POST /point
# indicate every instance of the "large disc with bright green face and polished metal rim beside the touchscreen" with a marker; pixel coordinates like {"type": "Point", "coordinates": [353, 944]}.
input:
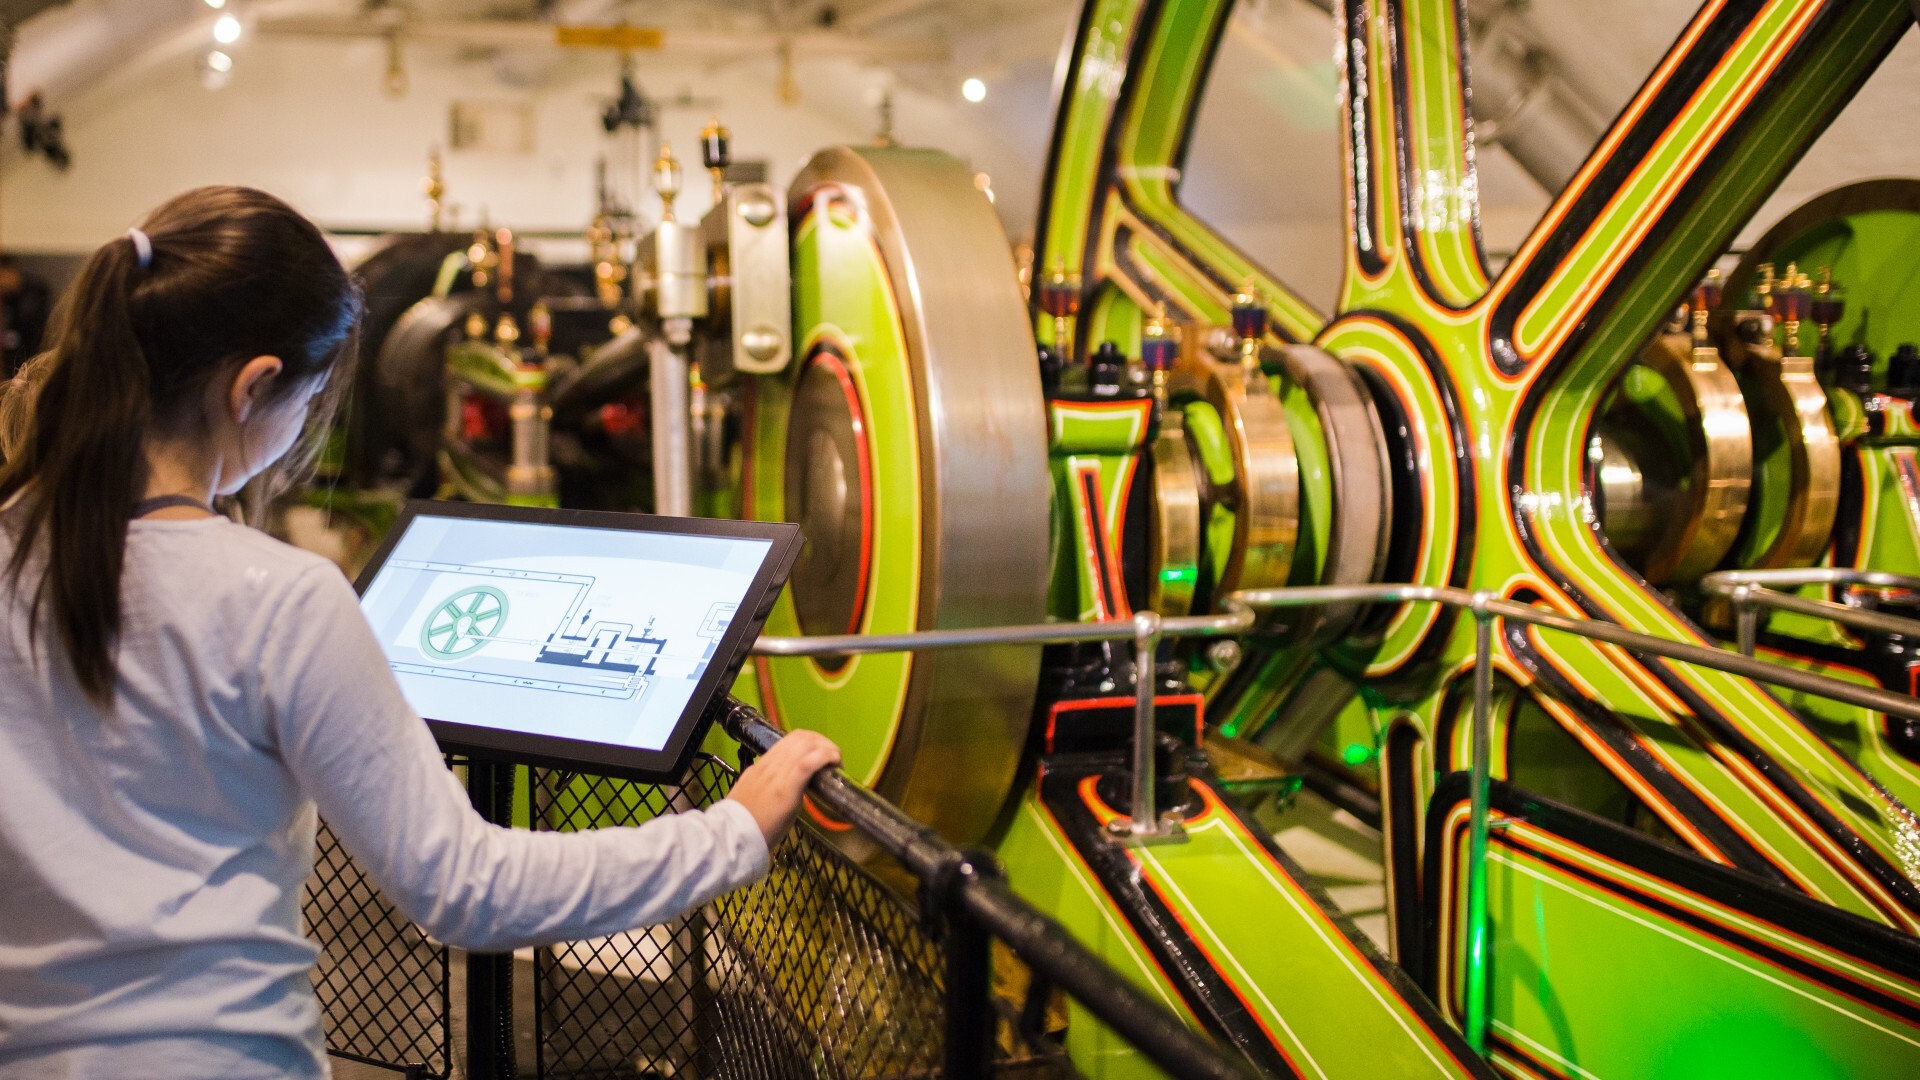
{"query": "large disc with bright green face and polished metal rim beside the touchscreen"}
{"type": "Point", "coordinates": [915, 362]}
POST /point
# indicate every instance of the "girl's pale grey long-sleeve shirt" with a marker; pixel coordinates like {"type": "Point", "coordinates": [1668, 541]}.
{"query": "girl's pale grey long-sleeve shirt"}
{"type": "Point", "coordinates": [153, 858]}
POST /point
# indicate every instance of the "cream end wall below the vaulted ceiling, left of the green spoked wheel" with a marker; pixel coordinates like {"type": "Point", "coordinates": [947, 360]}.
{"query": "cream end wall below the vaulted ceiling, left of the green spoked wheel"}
{"type": "Point", "coordinates": [308, 120]}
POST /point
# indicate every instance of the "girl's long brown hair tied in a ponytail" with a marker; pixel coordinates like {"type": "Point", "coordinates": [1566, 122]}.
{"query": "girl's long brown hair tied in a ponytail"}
{"type": "Point", "coordinates": [132, 353]}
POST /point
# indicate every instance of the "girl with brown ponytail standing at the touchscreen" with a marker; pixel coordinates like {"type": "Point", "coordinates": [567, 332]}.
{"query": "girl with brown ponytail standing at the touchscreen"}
{"type": "Point", "coordinates": [180, 693]}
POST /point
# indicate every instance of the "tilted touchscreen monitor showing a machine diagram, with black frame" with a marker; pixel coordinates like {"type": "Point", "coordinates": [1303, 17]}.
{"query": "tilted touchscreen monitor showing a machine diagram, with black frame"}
{"type": "Point", "coordinates": [573, 639]}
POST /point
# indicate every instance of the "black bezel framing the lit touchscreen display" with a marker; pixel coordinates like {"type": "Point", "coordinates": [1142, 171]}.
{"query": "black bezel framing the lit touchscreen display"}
{"type": "Point", "coordinates": [669, 764]}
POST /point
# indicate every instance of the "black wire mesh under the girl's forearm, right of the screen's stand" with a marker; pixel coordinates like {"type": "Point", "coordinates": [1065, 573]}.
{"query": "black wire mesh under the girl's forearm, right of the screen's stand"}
{"type": "Point", "coordinates": [817, 971]}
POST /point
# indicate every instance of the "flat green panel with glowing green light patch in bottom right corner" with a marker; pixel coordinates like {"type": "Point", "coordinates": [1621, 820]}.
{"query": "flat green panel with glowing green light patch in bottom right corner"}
{"type": "Point", "coordinates": [1593, 985]}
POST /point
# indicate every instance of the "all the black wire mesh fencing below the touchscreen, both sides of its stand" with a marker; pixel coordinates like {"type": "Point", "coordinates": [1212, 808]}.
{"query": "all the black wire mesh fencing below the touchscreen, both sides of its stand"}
{"type": "Point", "coordinates": [817, 971]}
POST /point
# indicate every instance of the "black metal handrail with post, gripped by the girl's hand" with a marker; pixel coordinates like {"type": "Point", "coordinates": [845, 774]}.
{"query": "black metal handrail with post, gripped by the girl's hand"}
{"type": "Point", "coordinates": [980, 908]}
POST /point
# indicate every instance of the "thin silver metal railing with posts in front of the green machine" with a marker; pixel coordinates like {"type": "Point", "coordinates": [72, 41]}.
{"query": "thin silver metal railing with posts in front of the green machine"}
{"type": "Point", "coordinates": [1241, 612]}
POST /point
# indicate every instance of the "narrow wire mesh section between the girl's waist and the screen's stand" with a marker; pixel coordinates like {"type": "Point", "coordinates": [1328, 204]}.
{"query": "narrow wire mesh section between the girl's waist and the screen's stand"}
{"type": "Point", "coordinates": [383, 985]}
